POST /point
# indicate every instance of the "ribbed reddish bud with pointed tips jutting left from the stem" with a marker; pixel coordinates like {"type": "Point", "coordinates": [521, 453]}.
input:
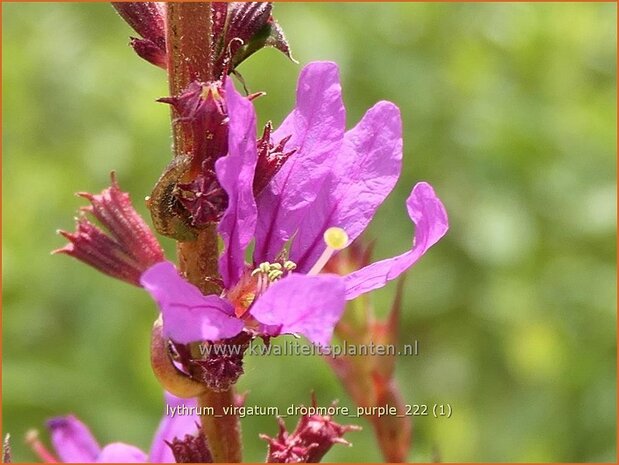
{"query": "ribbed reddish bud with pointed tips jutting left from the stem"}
{"type": "Point", "coordinates": [124, 248]}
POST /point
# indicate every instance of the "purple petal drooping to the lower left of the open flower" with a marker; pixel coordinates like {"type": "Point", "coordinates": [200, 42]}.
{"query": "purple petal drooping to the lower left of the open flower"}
{"type": "Point", "coordinates": [188, 316]}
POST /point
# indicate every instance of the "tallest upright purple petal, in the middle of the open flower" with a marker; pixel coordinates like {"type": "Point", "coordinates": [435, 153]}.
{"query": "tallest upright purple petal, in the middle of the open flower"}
{"type": "Point", "coordinates": [317, 128]}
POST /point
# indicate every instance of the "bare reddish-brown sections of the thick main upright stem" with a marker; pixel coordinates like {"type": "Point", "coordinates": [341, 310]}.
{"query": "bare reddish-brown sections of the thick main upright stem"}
{"type": "Point", "coordinates": [189, 58]}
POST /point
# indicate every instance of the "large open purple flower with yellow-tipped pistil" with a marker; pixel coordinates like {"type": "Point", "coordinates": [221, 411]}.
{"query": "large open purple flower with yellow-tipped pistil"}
{"type": "Point", "coordinates": [320, 200]}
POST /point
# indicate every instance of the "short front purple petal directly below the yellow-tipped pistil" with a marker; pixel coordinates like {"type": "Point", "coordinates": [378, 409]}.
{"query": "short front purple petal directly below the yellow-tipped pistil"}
{"type": "Point", "coordinates": [309, 305]}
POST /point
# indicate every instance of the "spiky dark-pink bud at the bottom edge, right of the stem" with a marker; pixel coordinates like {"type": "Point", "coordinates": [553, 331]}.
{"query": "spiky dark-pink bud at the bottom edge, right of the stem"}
{"type": "Point", "coordinates": [311, 440]}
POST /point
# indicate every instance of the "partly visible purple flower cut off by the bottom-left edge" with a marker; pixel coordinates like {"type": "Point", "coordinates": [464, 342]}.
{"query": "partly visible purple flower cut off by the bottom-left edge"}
{"type": "Point", "coordinates": [74, 443]}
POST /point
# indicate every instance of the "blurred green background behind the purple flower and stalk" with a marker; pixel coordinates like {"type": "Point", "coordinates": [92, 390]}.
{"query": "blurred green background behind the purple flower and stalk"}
{"type": "Point", "coordinates": [509, 111]}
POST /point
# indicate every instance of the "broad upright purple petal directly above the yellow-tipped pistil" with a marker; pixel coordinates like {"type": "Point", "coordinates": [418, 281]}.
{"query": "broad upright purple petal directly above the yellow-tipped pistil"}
{"type": "Point", "coordinates": [365, 171]}
